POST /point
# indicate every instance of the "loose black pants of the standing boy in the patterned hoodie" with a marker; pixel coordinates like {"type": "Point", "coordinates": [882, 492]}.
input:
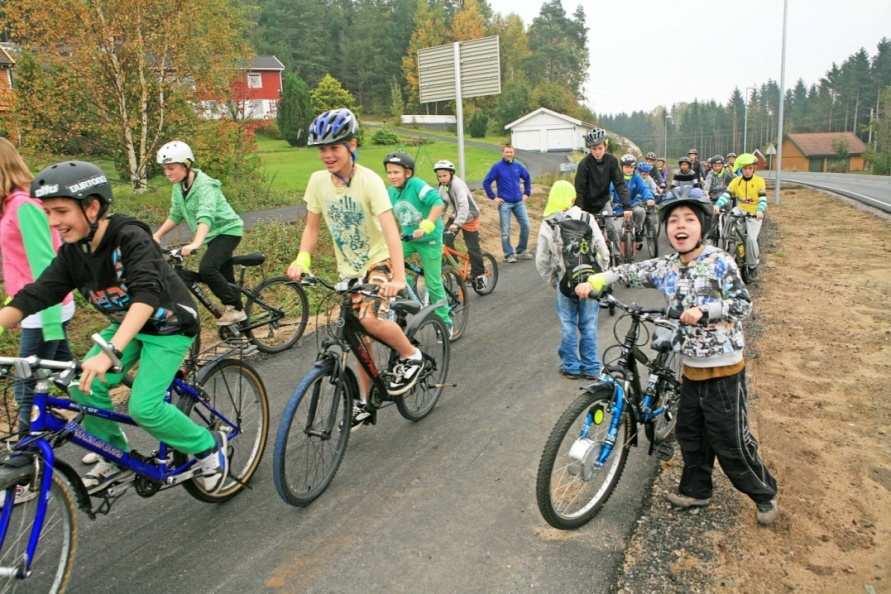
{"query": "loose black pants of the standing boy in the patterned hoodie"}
{"type": "Point", "coordinates": [712, 422]}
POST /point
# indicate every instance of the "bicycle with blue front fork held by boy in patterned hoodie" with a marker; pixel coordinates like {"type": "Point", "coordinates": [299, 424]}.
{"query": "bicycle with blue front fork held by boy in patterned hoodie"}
{"type": "Point", "coordinates": [587, 449]}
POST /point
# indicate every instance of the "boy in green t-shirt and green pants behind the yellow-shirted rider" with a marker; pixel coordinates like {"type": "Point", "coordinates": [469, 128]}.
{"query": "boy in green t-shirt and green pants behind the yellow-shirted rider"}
{"type": "Point", "coordinates": [418, 209]}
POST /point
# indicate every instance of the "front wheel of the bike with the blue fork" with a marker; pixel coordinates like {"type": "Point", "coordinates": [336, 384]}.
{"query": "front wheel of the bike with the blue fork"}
{"type": "Point", "coordinates": [600, 399]}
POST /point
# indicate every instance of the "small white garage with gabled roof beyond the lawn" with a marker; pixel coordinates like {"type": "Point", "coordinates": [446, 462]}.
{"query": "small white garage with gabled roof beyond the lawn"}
{"type": "Point", "coordinates": [545, 130]}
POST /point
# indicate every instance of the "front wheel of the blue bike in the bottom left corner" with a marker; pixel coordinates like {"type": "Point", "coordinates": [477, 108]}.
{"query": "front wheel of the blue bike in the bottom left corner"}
{"type": "Point", "coordinates": [56, 548]}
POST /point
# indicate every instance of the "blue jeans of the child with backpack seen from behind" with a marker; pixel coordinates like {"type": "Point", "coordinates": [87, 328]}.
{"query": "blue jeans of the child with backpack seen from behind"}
{"type": "Point", "coordinates": [578, 335]}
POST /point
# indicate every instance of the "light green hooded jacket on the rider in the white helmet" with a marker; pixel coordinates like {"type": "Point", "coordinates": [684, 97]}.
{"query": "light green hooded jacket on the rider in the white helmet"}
{"type": "Point", "coordinates": [205, 203]}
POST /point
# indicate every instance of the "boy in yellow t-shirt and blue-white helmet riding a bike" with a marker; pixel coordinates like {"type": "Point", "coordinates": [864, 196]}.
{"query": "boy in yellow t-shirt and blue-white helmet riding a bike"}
{"type": "Point", "coordinates": [356, 207]}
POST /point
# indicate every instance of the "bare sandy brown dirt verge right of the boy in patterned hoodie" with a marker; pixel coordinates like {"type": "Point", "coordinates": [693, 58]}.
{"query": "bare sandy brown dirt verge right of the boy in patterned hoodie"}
{"type": "Point", "coordinates": [820, 383]}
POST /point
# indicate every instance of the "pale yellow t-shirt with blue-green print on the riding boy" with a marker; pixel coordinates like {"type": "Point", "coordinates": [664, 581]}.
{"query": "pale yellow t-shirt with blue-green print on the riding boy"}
{"type": "Point", "coordinates": [351, 215]}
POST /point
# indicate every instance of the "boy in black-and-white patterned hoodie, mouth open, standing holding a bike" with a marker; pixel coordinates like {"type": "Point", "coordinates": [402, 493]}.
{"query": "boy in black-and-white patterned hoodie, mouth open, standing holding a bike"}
{"type": "Point", "coordinates": [703, 283]}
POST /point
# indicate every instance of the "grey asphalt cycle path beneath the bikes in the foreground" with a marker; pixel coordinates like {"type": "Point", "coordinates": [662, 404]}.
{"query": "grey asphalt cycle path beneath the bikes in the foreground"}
{"type": "Point", "coordinates": [444, 505]}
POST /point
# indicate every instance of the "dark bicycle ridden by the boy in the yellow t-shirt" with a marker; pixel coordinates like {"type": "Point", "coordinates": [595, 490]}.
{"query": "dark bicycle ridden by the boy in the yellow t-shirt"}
{"type": "Point", "coordinates": [315, 426]}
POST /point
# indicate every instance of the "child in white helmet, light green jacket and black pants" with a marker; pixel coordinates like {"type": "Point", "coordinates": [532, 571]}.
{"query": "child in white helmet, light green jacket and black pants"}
{"type": "Point", "coordinates": [196, 198]}
